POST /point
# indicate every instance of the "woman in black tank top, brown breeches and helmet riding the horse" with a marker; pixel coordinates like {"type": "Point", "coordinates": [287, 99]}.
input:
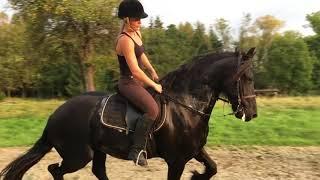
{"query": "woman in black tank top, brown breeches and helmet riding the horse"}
{"type": "Point", "coordinates": [131, 54]}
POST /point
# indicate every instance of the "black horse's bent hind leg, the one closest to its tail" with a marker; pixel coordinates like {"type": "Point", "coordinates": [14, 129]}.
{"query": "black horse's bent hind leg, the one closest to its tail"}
{"type": "Point", "coordinates": [71, 162]}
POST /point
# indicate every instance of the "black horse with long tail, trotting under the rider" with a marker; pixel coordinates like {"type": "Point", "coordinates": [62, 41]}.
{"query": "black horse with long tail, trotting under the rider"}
{"type": "Point", "coordinates": [191, 92]}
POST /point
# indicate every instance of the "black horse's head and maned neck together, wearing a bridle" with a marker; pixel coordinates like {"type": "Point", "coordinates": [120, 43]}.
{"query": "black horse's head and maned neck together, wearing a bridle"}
{"type": "Point", "coordinates": [210, 74]}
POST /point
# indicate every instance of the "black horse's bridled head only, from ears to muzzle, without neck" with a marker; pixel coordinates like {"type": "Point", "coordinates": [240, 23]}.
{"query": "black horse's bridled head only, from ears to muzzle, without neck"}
{"type": "Point", "coordinates": [239, 87]}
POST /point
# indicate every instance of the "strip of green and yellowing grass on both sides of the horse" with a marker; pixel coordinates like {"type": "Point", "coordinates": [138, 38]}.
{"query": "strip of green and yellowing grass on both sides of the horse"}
{"type": "Point", "coordinates": [290, 121]}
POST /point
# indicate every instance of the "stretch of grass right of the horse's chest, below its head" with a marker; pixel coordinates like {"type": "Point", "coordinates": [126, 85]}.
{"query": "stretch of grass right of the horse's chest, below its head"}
{"type": "Point", "coordinates": [291, 121]}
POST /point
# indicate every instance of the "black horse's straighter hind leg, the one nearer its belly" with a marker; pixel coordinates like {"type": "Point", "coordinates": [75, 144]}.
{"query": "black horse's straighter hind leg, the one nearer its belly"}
{"type": "Point", "coordinates": [98, 165]}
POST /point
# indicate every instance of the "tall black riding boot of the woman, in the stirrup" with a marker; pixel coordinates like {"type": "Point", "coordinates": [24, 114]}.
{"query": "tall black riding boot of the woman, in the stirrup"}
{"type": "Point", "coordinates": [137, 150]}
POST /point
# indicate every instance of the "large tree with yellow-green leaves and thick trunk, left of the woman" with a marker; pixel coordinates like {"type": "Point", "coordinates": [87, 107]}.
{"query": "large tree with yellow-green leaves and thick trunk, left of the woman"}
{"type": "Point", "coordinates": [77, 23]}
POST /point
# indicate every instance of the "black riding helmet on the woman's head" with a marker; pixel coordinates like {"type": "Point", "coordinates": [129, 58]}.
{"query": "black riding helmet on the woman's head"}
{"type": "Point", "coordinates": [131, 8]}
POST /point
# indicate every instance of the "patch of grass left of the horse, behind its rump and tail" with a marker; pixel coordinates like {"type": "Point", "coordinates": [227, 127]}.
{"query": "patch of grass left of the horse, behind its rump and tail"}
{"type": "Point", "coordinates": [23, 120]}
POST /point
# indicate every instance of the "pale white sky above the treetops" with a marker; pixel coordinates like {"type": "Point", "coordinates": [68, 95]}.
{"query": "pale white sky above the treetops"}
{"type": "Point", "coordinates": [293, 12]}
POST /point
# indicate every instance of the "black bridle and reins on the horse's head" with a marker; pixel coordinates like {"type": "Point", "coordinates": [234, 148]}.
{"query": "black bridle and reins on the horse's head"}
{"type": "Point", "coordinates": [241, 96]}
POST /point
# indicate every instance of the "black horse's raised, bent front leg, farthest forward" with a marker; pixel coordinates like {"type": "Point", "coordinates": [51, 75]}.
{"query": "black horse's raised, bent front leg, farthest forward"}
{"type": "Point", "coordinates": [211, 166]}
